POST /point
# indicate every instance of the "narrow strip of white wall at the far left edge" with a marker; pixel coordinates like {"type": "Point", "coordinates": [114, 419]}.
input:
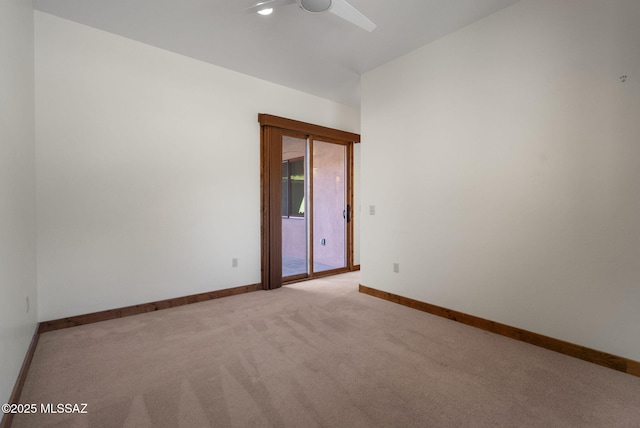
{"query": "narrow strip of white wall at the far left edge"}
{"type": "Point", "coordinates": [17, 190]}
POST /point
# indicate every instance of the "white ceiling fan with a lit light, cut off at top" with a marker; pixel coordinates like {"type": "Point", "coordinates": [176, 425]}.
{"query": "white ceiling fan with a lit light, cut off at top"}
{"type": "Point", "coordinates": [338, 7]}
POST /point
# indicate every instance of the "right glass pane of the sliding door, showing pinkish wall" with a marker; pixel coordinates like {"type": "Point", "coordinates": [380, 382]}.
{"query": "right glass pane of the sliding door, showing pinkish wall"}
{"type": "Point", "coordinates": [329, 206]}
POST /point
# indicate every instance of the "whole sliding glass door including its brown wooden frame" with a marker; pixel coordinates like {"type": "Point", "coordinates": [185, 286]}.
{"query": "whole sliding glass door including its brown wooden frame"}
{"type": "Point", "coordinates": [306, 174]}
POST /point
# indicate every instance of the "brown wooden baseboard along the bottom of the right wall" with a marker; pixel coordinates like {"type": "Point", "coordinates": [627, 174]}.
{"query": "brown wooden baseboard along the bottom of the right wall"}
{"type": "Point", "coordinates": [587, 354]}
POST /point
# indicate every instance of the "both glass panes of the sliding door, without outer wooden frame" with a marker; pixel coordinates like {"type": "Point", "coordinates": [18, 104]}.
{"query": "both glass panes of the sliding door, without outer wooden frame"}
{"type": "Point", "coordinates": [315, 211]}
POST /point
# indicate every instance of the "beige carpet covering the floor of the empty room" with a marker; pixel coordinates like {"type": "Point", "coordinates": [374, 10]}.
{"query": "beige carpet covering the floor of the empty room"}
{"type": "Point", "coordinates": [315, 354]}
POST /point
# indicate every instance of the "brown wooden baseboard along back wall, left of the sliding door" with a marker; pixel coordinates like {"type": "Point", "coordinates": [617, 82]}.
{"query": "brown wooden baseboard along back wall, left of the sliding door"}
{"type": "Point", "coordinates": [110, 314]}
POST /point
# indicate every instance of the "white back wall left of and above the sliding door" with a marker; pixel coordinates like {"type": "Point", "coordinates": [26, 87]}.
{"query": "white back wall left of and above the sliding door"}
{"type": "Point", "coordinates": [148, 169]}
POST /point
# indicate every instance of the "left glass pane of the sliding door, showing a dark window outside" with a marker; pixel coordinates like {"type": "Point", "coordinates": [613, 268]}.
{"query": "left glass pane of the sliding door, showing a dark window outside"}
{"type": "Point", "coordinates": [294, 220]}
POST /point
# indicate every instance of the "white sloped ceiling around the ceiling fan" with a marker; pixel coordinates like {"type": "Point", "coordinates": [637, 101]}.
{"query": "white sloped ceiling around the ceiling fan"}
{"type": "Point", "coordinates": [319, 54]}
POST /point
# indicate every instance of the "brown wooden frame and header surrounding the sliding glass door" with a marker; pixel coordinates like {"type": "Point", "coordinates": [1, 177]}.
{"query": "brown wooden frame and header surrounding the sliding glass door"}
{"type": "Point", "coordinates": [272, 128]}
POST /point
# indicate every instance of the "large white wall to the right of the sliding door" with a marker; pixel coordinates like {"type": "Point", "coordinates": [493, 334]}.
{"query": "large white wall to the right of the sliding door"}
{"type": "Point", "coordinates": [503, 161]}
